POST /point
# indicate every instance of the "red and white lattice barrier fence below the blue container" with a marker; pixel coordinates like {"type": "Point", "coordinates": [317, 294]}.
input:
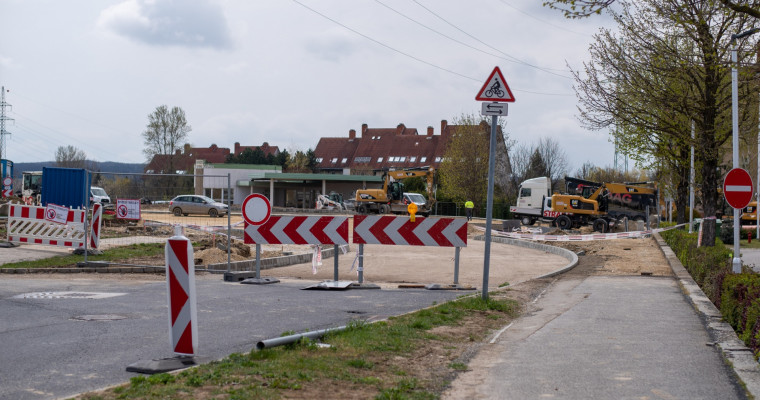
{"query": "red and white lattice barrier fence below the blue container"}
{"type": "Point", "coordinates": [27, 224]}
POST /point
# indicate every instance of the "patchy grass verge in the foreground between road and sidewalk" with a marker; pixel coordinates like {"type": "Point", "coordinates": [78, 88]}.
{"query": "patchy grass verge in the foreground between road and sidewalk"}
{"type": "Point", "coordinates": [356, 358]}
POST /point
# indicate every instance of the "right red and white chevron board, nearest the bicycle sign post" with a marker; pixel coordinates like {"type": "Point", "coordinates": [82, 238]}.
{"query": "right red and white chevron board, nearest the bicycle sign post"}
{"type": "Point", "coordinates": [390, 230]}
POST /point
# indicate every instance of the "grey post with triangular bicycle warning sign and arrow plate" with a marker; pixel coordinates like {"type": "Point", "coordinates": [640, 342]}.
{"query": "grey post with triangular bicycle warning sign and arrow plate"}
{"type": "Point", "coordinates": [494, 90]}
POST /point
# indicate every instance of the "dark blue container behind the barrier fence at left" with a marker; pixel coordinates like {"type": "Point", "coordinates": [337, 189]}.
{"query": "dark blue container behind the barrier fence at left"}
{"type": "Point", "coordinates": [68, 187]}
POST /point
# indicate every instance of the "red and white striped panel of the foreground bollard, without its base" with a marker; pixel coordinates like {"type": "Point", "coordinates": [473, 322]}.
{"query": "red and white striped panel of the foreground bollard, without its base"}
{"type": "Point", "coordinates": [180, 282]}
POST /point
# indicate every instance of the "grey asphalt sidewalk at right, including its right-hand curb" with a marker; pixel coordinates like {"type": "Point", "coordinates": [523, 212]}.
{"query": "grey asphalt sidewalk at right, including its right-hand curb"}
{"type": "Point", "coordinates": [613, 337]}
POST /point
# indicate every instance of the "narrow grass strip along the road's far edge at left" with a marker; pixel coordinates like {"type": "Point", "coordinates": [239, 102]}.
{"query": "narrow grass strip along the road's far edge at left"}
{"type": "Point", "coordinates": [122, 253]}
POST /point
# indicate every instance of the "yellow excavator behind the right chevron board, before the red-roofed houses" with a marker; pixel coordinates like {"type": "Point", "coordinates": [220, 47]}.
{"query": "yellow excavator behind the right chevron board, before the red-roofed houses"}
{"type": "Point", "coordinates": [392, 198]}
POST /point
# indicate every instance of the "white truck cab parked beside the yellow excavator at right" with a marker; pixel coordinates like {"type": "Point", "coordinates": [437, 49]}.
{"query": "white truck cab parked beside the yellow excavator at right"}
{"type": "Point", "coordinates": [534, 201]}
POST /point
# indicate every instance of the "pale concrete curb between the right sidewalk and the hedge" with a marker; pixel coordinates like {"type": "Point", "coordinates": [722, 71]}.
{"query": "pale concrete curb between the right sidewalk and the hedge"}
{"type": "Point", "coordinates": [731, 347]}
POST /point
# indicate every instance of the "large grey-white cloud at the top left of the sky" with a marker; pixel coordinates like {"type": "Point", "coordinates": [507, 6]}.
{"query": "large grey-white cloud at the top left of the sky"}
{"type": "Point", "coordinates": [189, 23]}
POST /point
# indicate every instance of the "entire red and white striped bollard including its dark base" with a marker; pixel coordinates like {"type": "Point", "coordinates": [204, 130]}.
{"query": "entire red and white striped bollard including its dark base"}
{"type": "Point", "coordinates": [183, 318]}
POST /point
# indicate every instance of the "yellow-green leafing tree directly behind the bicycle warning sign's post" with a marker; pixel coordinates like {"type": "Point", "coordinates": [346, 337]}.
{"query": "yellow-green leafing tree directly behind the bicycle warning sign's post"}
{"type": "Point", "coordinates": [463, 171]}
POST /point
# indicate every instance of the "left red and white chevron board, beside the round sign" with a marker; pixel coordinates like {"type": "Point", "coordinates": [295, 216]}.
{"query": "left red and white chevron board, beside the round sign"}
{"type": "Point", "coordinates": [298, 230]}
